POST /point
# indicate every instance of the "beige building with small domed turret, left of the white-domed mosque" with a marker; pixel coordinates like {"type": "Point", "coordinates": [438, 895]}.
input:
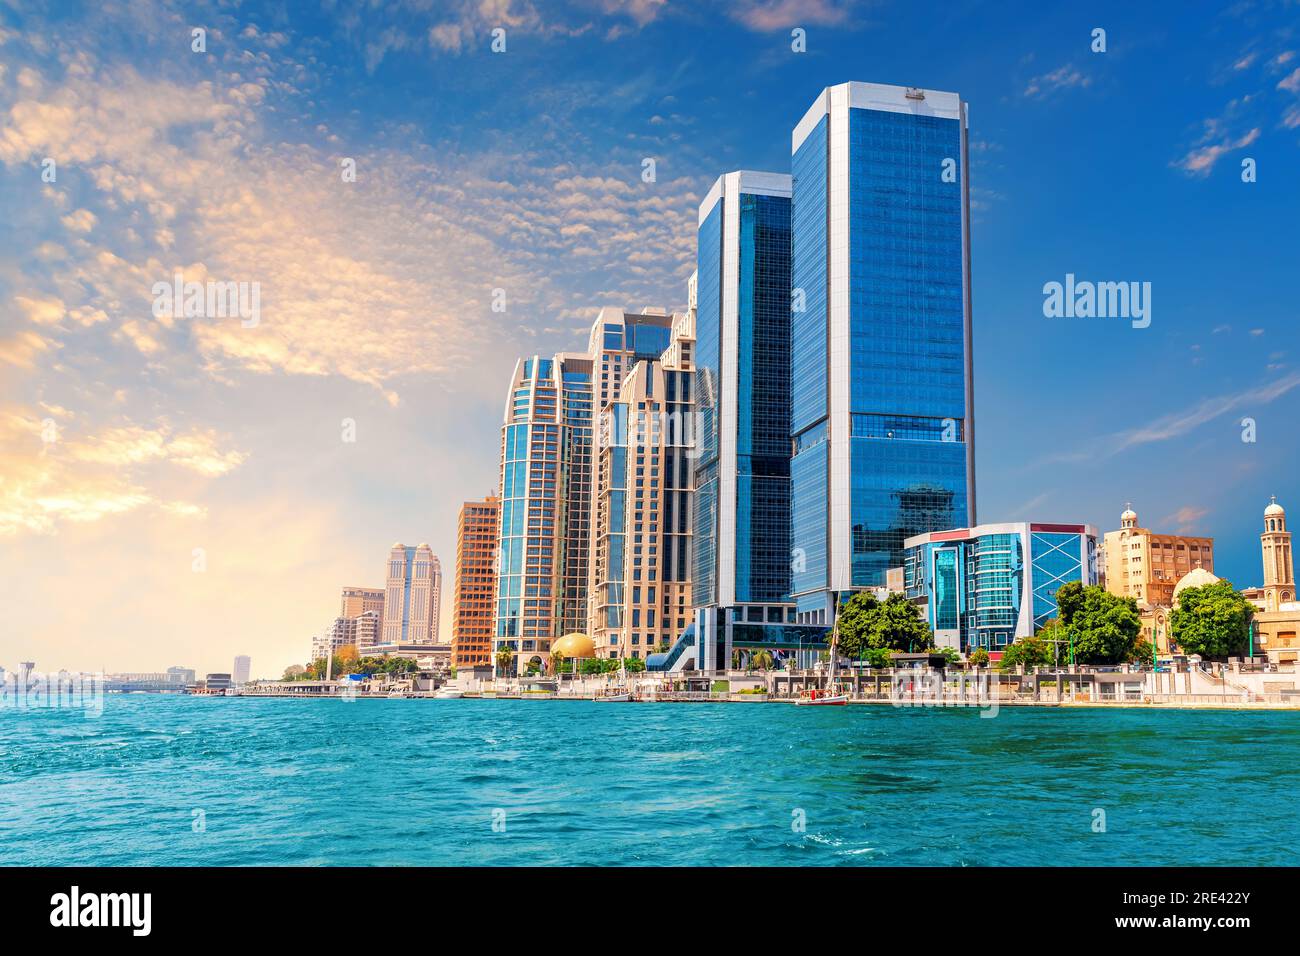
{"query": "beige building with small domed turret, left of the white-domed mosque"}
{"type": "Point", "coordinates": [1147, 568]}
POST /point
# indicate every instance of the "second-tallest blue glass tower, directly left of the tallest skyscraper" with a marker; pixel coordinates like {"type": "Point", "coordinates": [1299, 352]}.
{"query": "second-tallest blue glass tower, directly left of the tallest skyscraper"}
{"type": "Point", "coordinates": [743, 392]}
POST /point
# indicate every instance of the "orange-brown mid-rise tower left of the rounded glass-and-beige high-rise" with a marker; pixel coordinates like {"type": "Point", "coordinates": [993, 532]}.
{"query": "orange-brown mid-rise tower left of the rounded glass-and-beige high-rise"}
{"type": "Point", "coordinates": [476, 576]}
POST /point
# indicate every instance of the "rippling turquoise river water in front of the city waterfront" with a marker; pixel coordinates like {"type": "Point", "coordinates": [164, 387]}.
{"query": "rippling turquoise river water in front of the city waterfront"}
{"type": "Point", "coordinates": [411, 782]}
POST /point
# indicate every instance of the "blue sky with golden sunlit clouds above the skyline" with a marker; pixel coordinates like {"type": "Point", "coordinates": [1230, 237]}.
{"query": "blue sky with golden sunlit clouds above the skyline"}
{"type": "Point", "coordinates": [179, 491]}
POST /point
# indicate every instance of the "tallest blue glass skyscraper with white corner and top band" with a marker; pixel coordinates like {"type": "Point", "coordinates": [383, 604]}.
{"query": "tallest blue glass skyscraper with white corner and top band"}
{"type": "Point", "coordinates": [881, 339]}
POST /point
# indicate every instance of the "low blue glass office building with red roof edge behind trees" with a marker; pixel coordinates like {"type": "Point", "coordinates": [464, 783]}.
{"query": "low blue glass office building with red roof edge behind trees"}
{"type": "Point", "coordinates": [993, 585]}
